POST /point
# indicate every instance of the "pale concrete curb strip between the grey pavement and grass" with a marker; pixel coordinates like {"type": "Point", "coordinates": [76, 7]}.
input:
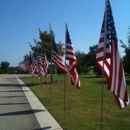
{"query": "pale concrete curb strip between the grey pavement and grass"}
{"type": "Point", "coordinates": [46, 121]}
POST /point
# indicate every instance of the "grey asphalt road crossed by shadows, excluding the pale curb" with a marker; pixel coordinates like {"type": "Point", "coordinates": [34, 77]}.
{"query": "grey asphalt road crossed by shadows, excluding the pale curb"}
{"type": "Point", "coordinates": [15, 110]}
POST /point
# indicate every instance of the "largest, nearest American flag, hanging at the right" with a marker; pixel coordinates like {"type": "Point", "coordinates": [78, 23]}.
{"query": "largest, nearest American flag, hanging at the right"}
{"type": "Point", "coordinates": [109, 61]}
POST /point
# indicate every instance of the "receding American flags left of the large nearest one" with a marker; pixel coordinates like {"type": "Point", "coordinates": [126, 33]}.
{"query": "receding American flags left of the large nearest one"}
{"type": "Point", "coordinates": [38, 63]}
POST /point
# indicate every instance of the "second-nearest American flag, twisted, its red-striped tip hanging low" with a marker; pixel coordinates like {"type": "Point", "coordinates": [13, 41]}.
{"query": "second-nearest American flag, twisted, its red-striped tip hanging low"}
{"type": "Point", "coordinates": [70, 55]}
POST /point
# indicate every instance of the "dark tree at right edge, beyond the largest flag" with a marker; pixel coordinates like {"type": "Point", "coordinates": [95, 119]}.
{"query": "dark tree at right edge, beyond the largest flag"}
{"type": "Point", "coordinates": [126, 58]}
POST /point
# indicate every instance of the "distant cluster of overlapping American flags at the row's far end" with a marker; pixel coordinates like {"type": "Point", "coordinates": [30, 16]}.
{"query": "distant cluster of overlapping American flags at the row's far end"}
{"type": "Point", "coordinates": [36, 63]}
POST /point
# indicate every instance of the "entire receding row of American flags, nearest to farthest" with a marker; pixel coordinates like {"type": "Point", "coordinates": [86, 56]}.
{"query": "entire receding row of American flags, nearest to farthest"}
{"type": "Point", "coordinates": [108, 60]}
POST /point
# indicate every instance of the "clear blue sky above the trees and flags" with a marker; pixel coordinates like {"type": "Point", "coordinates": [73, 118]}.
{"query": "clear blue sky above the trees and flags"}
{"type": "Point", "coordinates": [20, 20]}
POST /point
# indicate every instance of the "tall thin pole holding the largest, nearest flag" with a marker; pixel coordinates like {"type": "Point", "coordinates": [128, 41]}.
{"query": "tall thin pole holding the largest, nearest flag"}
{"type": "Point", "coordinates": [105, 34]}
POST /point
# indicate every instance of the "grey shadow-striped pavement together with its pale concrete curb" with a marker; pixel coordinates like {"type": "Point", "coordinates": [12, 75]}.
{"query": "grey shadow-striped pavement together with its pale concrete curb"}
{"type": "Point", "coordinates": [20, 109]}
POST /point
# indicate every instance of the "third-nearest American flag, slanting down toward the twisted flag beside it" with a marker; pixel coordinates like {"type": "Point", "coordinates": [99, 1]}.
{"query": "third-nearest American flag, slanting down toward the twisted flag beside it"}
{"type": "Point", "coordinates": [57, 58]}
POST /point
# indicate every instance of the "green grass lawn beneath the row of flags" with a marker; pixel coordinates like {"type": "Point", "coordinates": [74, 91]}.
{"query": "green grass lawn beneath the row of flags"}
{"type": "Point", "coordinates": [82, 107]}
